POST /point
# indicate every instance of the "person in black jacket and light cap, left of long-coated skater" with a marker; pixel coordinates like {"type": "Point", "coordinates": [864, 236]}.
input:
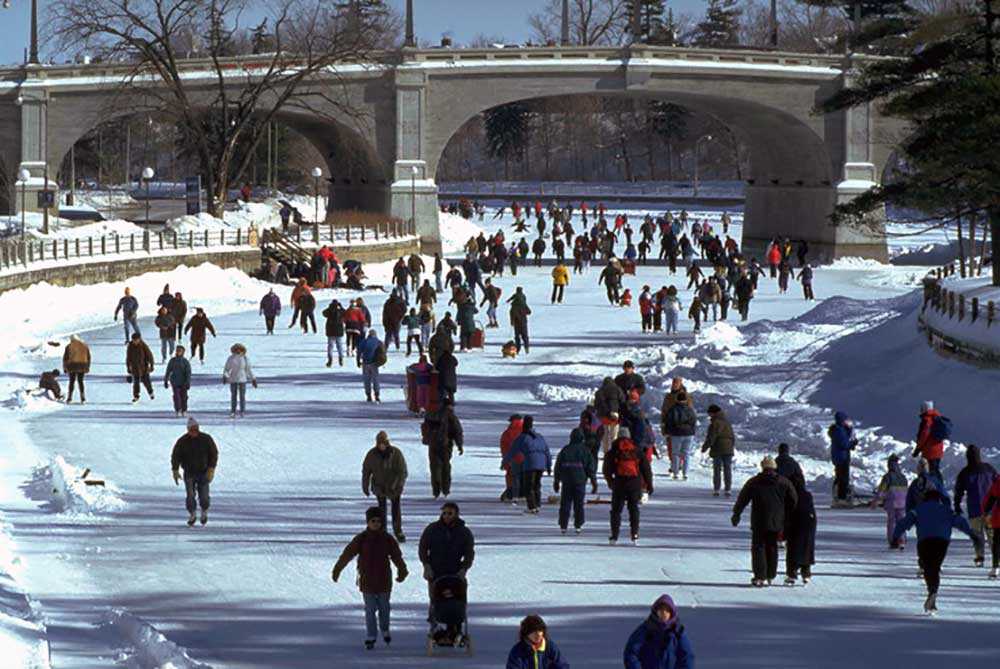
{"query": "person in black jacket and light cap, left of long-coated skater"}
{"type": "Point", "coordinates": [772, 497]}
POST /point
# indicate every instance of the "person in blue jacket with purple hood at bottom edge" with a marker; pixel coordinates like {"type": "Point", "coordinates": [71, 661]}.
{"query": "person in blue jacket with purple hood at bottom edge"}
{"type": "Point", "coordinates": [659, 642]}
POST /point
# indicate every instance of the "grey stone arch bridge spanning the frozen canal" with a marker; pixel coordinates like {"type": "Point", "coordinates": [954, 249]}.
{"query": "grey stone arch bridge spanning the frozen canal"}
{"type": "Point", "coordinates": [383, 154]}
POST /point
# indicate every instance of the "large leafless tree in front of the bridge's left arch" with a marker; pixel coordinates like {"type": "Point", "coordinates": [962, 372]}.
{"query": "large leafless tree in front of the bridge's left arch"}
{"type": "Point", "coordinates": [222, 117]}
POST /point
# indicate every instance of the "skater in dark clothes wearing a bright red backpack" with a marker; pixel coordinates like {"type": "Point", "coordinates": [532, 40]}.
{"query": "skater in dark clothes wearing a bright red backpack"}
{"type": "Point", "coordinates": [628, 474]}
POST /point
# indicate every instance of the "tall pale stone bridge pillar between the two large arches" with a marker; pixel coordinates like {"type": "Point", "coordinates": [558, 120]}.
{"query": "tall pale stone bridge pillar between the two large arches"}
{"type": "Point", "coordinates": [413, 191]}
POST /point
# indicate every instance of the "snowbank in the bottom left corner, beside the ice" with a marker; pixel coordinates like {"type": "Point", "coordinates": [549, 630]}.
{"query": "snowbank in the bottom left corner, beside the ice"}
{"type": "Point", "coordinates": [23, 637]}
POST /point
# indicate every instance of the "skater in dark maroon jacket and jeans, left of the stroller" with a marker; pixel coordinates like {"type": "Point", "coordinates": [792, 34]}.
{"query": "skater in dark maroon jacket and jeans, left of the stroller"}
{"type": "Point", "coordinates": [374, 549]}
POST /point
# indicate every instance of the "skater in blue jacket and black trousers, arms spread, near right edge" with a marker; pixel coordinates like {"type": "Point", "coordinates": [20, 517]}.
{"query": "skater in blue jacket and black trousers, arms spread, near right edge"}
{"type": "Point", "coordinates": [934, 520]}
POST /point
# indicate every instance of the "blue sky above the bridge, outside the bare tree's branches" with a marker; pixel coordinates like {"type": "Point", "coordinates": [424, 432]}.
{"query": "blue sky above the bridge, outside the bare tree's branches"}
{"type": "Point", "coordinates": [464, 19]}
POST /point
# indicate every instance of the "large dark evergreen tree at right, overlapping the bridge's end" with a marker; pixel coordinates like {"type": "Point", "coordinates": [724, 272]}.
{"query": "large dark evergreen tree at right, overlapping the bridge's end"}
{"type": "Point", "coordinates": [948, 89]}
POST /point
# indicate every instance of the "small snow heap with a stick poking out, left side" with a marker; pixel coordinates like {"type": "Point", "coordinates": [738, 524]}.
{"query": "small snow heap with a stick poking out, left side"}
{"type": "Point", "coordinates": [68, 492]}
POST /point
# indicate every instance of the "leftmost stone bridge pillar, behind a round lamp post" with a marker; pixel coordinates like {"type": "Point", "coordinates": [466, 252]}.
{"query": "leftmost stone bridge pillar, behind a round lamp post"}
{"type": "Point", "coordinates": [34, 148]}
